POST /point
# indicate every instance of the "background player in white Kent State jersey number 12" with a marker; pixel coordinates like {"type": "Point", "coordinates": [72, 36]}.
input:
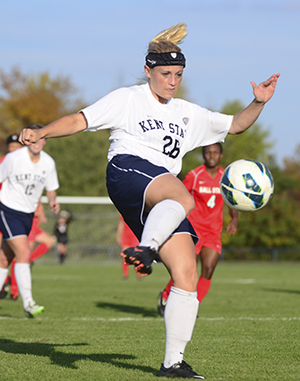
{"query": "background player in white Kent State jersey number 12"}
{"type": "Point", "coordinates": [24, 174]}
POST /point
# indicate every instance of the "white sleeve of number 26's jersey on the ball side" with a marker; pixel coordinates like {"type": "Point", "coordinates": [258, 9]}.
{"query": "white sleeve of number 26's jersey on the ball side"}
{"type": "Point", "coordinates": [207, 127]}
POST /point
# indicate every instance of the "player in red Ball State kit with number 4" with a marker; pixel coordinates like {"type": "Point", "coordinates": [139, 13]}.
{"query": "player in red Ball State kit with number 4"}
{"type": "Point", "coordinates": [203, 183]}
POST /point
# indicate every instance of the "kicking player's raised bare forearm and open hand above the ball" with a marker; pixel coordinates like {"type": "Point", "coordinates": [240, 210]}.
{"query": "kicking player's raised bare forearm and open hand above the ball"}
{"type": "Point", "coordinates": [262, 94]}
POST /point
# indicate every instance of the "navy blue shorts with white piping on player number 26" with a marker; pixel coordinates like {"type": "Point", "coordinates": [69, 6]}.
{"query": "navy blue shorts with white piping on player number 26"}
{"type": "Point", "coordinates": [127, 178]}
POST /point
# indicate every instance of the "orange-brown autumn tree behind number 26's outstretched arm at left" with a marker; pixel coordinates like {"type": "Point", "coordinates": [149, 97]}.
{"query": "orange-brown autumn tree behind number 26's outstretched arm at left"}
{"type": "Point", "coordinates": [33, 98]}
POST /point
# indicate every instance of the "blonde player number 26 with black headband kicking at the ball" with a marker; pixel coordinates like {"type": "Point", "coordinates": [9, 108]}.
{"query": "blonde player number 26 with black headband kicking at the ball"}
{"type": "Point", "coordinates": [150, 133]}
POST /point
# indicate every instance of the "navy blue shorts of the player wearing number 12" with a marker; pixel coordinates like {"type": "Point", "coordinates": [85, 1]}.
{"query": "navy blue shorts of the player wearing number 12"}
{"type": "Point", "coordinates": [14, 223]}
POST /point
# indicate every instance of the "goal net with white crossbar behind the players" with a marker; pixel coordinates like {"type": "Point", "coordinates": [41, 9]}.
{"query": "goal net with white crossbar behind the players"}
{"type": "Point", "coordinates": [92, 232]}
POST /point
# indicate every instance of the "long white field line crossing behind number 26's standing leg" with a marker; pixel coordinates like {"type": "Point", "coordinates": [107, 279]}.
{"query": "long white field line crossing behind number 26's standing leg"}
{"type": "Point", "coordinates": [87, 319]}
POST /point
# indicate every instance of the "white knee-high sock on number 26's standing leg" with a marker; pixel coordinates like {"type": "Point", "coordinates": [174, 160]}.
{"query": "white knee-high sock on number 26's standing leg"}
{"type": "Point", "coordinates": [180, 316]}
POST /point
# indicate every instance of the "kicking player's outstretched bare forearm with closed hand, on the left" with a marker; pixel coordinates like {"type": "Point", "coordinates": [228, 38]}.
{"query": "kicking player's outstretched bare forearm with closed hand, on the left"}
{"type": "Point", "coordinates": [68, 125]}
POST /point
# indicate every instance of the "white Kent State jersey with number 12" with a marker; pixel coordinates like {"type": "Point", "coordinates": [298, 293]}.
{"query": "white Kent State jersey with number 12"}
{"type": "Point", "coordinates": [23, 181]}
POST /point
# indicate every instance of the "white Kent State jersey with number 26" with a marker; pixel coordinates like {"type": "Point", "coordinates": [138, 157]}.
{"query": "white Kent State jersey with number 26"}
{"type": "Point", "coordinates": [160, 133]}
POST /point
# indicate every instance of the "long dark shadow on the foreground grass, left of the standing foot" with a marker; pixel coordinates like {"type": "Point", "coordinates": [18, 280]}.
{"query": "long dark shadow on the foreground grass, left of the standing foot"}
{"type": "Point", "coordinates": [68, 360]}
